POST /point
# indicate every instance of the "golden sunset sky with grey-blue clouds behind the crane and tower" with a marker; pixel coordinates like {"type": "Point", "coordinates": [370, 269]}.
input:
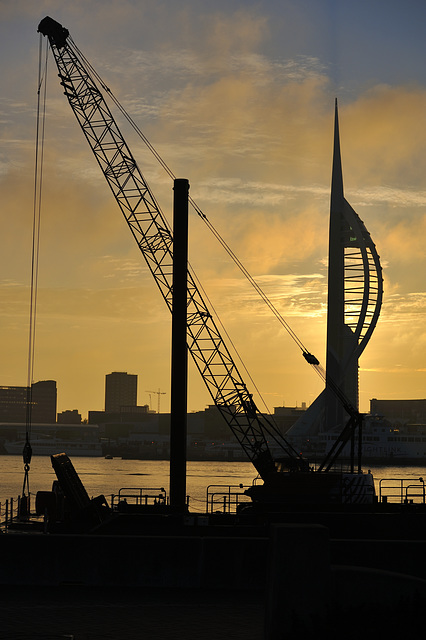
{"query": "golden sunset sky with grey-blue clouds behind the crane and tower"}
{"type": "Point", "coordinates": [238, 97]}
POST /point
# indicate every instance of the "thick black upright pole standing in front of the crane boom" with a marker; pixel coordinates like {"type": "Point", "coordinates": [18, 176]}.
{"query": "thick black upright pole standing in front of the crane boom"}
{"type": "Point", "coordinates": [178, 409]}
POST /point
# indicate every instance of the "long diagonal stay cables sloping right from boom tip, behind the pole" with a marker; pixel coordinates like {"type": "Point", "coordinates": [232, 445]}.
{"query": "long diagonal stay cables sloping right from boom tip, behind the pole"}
{"type": "Point", "coordinates": [310, 358]}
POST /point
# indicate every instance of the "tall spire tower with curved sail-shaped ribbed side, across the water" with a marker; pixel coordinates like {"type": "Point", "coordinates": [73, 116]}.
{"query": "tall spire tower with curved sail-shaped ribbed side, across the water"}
{"type": "Point", "coordinates": [355, 291]}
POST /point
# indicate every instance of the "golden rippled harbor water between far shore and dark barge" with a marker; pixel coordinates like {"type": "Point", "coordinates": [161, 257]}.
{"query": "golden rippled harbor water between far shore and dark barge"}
{"type": "Point", "coordinates": [107, 477]}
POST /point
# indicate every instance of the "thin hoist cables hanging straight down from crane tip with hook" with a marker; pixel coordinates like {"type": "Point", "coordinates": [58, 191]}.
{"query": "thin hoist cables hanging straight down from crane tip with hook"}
{"type": "Point", "coordinates": [38, 178]}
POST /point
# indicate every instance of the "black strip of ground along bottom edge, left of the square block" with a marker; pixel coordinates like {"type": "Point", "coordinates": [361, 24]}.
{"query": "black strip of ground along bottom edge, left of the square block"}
{"type": "Point", "coordinates": [86, 613]}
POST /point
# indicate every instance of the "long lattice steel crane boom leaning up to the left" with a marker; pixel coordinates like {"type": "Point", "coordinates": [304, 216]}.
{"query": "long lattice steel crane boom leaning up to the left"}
{"type": "Point", "coordinates": [154, 239]}
